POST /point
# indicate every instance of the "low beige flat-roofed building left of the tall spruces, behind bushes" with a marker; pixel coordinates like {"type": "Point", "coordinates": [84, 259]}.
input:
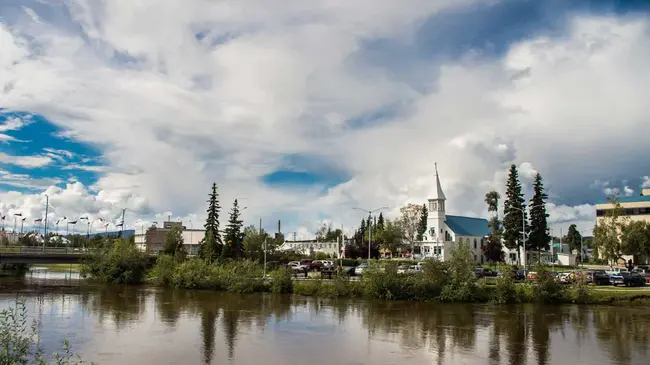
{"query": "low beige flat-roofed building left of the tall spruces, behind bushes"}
{"type": "Point", "coordinates": [191, 238]}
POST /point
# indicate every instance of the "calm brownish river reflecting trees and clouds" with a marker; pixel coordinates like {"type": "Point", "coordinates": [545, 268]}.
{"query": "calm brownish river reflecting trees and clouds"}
{"type": "Point", "coordinates": [146, 325]}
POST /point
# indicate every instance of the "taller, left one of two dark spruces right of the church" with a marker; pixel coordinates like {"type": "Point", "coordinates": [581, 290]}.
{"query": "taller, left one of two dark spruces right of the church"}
{"type": "Point", "coordinates": [515, 214]}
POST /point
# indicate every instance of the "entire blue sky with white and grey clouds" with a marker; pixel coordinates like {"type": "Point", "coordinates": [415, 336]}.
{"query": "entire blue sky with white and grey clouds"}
{"type": "Point", "coordinates": [306, 110]}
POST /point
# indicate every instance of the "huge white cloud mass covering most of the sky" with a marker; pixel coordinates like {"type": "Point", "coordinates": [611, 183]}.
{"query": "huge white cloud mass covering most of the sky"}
{"type": "Point", "coordinates": [190, 112]}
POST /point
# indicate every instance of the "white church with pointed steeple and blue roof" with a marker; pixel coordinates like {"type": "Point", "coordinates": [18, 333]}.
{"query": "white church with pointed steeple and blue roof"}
{"type": "Point", "coordinates": [444, 232]}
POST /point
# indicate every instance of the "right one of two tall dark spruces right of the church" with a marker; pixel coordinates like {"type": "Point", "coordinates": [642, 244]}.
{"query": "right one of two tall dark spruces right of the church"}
{"type": "Point", "coordinates": [539, 238]}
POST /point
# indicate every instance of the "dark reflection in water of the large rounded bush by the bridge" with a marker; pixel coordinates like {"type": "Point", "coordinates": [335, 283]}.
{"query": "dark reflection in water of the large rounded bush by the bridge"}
{"type": "Point", "coordinates": [121, 303]}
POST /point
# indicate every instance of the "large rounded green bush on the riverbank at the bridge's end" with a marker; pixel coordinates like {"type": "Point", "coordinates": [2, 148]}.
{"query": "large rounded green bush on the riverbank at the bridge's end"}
{"type": "Point", "coordinates": [118, 262]}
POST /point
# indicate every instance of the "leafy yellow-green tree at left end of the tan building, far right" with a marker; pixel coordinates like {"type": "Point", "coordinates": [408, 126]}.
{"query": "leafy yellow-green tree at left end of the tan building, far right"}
{"type": "Point", "coordinates": [607, 234]}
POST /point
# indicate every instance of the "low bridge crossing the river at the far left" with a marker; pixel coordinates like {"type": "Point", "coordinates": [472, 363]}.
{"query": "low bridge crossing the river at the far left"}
{"type": "Point", "coordinates": [47, 255]}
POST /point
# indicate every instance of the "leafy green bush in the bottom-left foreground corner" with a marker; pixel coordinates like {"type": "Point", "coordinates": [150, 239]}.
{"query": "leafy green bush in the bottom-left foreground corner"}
{"type": "Point", "coordinates": [18, 343]}
